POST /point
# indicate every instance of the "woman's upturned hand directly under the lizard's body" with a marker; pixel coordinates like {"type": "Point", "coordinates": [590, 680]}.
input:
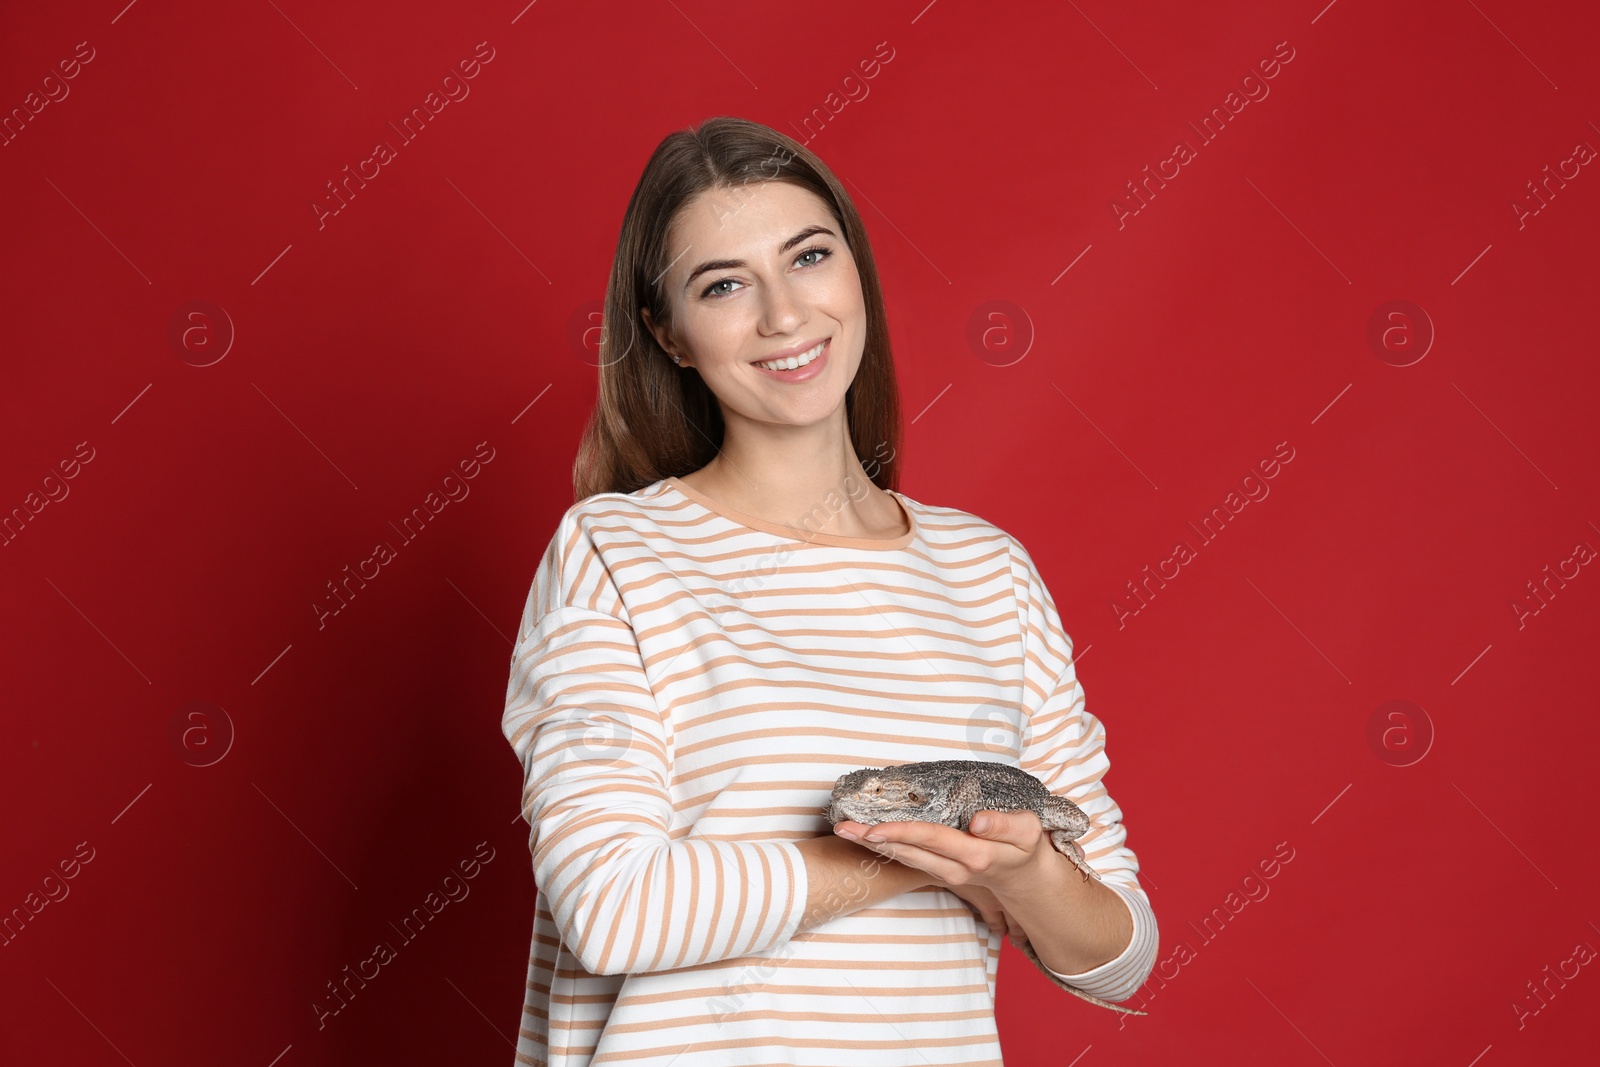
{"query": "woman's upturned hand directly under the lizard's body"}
{"type": "Point", "coordinates": [1004, 857]}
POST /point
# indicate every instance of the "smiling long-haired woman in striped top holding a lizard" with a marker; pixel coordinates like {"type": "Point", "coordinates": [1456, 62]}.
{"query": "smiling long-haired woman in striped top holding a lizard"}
{"type": "Point", "coordinates": [738, 610]}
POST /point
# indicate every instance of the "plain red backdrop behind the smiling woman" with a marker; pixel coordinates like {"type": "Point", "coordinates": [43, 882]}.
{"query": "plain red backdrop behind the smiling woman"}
{"type": "Point", "coordinates": [439, 310]}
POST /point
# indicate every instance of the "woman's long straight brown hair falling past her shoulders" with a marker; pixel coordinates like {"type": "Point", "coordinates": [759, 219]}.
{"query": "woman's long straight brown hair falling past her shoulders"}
{"type": "Point", "coordinates": [654, 418]}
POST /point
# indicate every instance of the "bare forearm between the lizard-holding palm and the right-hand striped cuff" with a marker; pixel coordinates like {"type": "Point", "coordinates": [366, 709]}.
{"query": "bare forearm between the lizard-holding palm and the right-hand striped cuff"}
{"type": "Point", "coordinates": [1074, 924]}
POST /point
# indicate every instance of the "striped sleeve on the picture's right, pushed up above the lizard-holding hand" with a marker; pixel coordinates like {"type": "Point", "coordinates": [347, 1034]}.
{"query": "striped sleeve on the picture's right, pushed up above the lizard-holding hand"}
{"type": "Point", "coordinates": [1065, 746]}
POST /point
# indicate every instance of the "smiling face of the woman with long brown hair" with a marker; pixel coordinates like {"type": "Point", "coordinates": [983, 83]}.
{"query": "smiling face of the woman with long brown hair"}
{"type": "Point", "coordinates": [759, 271]}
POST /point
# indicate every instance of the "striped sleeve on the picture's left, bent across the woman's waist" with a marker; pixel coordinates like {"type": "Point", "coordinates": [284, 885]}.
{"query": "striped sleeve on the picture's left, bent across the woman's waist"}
{"type": "Point", "coordinates": [585, 722]}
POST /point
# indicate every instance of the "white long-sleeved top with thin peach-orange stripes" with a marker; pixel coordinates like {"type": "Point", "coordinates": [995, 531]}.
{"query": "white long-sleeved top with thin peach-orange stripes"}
{"type": "Point", "coordinates": [686, 687]}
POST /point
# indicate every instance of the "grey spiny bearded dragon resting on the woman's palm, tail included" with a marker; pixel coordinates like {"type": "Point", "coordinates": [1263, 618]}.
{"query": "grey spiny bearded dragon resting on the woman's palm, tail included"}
{"type": "Point", "coordinates": [951, 793]}
